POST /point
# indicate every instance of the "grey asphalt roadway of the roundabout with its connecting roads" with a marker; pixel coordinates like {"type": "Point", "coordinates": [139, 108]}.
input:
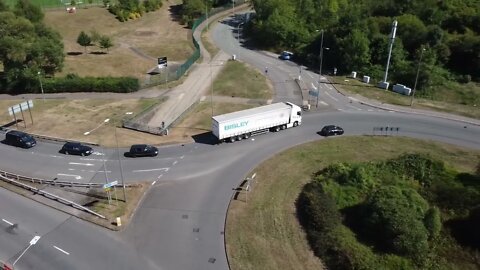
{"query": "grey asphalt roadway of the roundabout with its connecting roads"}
{"type": "Point", "coordinates": [180, 223]}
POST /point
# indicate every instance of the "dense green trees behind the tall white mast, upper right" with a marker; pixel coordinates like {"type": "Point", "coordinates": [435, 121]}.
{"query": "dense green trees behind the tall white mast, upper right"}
{"type": "Point", "coordinates": [357, 33]}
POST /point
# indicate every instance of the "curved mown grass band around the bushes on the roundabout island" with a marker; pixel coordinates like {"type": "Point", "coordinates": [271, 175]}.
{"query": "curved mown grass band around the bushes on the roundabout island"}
{"type": "Point", "coordinates": [262, 230]}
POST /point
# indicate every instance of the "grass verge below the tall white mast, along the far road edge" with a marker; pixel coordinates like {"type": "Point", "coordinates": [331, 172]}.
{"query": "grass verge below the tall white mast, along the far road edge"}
{"type": "Point", "coordinates": [458, 99]}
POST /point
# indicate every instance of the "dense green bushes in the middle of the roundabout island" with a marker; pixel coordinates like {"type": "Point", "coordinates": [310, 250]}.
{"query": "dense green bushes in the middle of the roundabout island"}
{"type": "Point", "coordinates": [388, 215]}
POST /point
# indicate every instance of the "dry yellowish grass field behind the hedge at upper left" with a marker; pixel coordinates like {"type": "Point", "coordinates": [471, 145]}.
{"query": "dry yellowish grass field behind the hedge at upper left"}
{"type": "Point", "coordinates": [153, 35]}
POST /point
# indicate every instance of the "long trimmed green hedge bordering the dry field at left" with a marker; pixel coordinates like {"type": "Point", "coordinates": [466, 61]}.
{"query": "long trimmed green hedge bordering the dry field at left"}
{"type": "Point", "coordinates": [91, 84]}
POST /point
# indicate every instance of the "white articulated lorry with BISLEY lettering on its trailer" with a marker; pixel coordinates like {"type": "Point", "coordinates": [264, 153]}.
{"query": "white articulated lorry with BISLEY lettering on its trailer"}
{"type": "Point", "coordinates": [243, 124]}
